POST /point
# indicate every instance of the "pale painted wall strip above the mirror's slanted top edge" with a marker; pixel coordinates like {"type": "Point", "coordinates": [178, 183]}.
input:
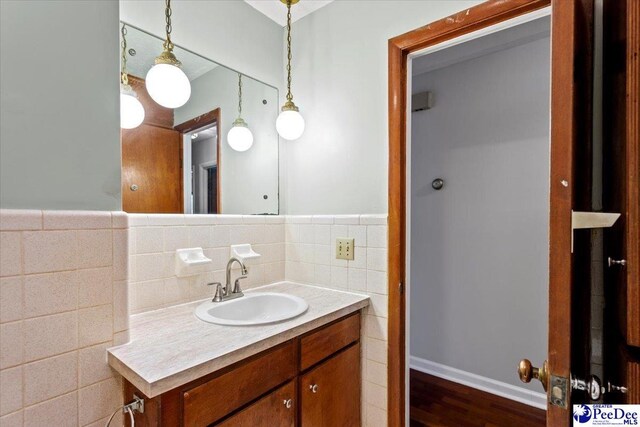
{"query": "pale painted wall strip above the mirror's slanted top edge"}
{"type": "Point", "coordinates": [229, 32]}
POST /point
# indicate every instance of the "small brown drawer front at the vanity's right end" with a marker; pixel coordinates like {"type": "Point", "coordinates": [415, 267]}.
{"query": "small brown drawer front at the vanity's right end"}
{"type": "Point", "coordinates": [323, 343]}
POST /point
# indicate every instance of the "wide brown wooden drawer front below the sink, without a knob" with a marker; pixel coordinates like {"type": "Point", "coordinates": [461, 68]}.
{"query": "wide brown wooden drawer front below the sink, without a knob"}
{"type": "Point", "coordinates": [209, 402]}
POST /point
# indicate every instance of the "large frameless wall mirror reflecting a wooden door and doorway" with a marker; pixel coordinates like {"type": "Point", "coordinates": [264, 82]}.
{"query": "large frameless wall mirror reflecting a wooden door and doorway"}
{"type": "Point", "coordinates": [179, 160]}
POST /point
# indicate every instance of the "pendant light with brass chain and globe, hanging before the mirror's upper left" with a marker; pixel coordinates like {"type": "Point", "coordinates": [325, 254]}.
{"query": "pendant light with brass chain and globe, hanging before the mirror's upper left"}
{"type": "Point", "coordinates": [166, 83]}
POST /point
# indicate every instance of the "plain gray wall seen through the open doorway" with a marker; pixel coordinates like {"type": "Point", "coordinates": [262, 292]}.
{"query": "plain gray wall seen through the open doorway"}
{"type": "Point", "coordinates": [479, 247]}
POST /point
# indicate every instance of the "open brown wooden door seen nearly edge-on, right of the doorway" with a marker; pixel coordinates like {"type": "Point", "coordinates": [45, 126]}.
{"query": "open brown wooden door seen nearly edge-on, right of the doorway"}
{"type": "Point", "coordinates": [570, 185]}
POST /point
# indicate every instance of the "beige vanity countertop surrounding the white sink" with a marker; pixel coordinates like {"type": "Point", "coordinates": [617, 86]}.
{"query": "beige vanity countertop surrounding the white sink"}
{"type": "Point", "coordinates": [171, 347]}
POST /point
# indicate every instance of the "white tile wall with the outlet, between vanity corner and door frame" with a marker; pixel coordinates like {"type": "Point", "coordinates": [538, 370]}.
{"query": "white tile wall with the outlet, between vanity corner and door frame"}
{"type": "Point", "coordinates": [310, 258]}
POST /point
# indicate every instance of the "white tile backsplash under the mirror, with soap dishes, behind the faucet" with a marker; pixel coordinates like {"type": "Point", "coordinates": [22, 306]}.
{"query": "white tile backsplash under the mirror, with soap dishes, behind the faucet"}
{"type": "Point", "coordinates": [155, 238]}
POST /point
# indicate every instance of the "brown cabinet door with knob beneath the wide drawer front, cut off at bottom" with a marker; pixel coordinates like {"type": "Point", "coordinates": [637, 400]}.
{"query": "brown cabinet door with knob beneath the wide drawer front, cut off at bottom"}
{"type": "Point", "coordinates": [277, 409]}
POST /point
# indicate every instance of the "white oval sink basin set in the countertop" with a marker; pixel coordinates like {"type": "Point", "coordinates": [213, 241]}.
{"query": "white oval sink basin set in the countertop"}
{"type": "Point", "coordinates": [254, 308]}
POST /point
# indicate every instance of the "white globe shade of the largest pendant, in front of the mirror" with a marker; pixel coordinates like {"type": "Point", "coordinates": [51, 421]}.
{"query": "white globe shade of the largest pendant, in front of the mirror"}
{"type": "Point", "coordinates": [168, 85]}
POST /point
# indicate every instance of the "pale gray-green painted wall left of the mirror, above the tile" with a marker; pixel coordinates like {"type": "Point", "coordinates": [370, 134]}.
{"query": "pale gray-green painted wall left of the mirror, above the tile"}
{"type": "Point", "coordinates": [59, 113]}
